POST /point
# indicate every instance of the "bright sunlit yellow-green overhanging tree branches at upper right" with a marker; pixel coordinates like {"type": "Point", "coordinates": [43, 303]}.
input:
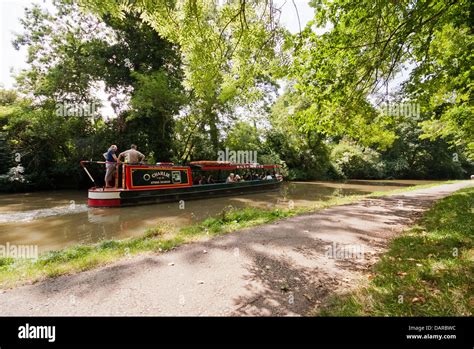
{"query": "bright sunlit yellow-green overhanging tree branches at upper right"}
{"type": "Point", "coordinates": [365, 45]}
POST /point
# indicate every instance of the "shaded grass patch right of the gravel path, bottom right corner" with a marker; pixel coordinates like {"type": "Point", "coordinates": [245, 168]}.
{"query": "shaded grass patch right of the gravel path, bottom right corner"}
{"type": "Point", "coordinates": [427, 271]}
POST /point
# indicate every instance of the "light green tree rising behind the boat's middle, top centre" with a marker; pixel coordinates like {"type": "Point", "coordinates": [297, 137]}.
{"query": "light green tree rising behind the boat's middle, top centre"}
{"type": "Point", "coordinates": [227, 50]}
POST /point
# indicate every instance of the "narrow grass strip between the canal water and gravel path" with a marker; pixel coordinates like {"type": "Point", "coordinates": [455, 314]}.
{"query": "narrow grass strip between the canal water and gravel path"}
{"type": "Point", "coordinates": [14, 272]}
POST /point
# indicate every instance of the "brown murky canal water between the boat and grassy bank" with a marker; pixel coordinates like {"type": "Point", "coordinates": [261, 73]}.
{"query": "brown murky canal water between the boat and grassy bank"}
{"type": "Point", "coordinates": [54, 220]}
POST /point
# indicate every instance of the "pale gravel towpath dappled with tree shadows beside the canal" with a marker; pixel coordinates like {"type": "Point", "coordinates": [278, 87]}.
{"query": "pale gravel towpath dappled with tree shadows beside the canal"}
{"type": "Point", "coordinates": [284, 268]}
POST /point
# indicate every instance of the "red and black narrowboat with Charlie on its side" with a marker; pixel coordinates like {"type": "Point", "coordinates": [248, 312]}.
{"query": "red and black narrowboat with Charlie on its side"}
{"type": "Point", "coordinates": [166, 182]}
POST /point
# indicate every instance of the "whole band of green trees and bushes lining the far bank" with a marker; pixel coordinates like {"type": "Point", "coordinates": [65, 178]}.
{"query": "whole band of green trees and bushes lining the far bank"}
{"type": "Point", "coordinates": [180, 74]}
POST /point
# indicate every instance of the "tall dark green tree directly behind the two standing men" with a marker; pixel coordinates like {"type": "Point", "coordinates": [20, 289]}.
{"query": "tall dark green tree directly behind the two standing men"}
{"type": "Point", "coordinates": [72, 53]}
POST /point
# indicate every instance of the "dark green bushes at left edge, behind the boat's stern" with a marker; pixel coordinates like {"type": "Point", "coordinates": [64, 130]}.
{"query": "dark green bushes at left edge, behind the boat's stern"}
{"type": "Point", "coordinates": [47, 145]}
